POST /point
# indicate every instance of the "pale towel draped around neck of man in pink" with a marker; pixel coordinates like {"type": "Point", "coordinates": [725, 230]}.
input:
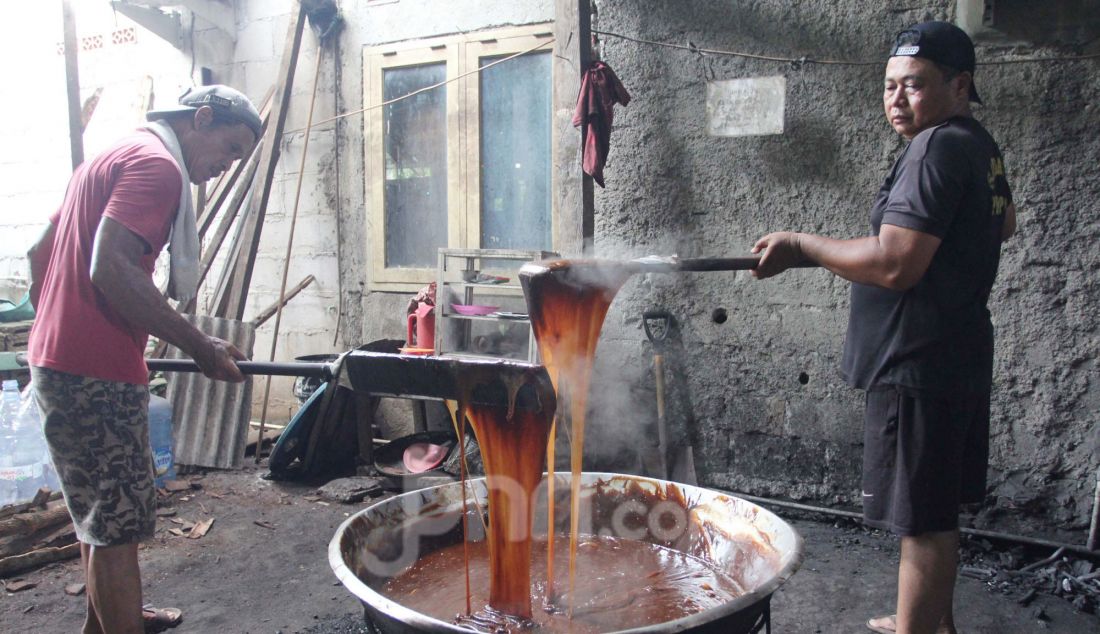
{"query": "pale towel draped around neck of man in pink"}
{"type": "Point", "coordinates": [184, 239]}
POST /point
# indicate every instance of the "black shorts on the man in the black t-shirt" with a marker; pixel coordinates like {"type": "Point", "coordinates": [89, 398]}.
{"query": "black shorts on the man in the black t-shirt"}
{"type": "Point", "coordinates": [923, 457]}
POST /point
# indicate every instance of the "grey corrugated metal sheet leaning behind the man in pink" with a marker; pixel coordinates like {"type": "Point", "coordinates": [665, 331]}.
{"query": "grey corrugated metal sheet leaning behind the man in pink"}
{"type": "Point", "coordinates": [211, 419]}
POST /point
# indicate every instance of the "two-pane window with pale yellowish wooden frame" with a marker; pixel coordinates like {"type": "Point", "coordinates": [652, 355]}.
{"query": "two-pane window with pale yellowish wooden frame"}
{"type": "Point", "coordinates": [464, 166]}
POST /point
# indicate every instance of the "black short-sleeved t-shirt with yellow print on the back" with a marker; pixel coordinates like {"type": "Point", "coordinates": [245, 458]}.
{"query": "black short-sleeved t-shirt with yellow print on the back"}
{"type": "Point", "coordinates": [936, 337]}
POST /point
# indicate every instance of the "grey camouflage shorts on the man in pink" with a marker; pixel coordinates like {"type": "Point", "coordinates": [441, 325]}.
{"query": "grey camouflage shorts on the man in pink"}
{"type": "Point", "coordinates": [98, 438]}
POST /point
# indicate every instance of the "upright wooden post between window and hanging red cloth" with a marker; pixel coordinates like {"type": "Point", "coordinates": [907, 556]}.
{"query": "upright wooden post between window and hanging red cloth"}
{"type": "Point", "coordinates": [575, 218]}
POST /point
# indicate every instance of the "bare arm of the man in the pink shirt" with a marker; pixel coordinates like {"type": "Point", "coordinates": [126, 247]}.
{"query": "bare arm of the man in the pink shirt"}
{"type": "Point", "coordinates": [117, 274]}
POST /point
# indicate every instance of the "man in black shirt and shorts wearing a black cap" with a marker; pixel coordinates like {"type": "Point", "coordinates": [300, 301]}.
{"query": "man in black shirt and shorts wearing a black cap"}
{"type": "Point", "coordinates": [920, 338]}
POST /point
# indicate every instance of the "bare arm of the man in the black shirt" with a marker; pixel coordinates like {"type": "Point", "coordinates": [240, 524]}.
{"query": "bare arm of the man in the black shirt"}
{"type": "Point", "coordinates": [896, 259]}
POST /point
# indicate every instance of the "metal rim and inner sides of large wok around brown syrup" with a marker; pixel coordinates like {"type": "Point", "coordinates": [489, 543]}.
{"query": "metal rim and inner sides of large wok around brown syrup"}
{"type": "Point", "coordinates": [741, 539]}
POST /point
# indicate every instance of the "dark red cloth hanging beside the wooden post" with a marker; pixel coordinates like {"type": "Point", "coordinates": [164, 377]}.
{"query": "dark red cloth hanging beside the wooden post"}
{"type": "Point", "coordinates": [601, 91]}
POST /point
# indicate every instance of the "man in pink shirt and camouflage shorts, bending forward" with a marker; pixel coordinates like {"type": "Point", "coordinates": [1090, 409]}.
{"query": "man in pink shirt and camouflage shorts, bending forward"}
{"type": "Point", "coordinates": [96, 303]}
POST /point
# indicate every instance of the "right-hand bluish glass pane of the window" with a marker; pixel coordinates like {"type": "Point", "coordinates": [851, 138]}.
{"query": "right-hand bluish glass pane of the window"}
{"type": "Point", "coordinates": [515, 154]}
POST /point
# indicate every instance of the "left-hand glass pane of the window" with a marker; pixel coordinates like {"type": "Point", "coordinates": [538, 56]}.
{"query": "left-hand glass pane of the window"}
{"type": "Point", "coordinates": [415, 146]}
